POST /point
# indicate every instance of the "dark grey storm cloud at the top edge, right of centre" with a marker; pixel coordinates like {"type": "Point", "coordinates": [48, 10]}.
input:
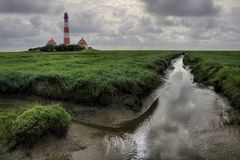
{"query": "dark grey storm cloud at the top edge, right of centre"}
{"type": "Point", "coordinates": [182, 7]}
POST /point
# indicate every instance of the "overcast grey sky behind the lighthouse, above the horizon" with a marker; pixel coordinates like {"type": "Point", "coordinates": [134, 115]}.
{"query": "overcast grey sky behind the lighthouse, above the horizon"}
{"type": "Point", "coordinates": [122, 24]}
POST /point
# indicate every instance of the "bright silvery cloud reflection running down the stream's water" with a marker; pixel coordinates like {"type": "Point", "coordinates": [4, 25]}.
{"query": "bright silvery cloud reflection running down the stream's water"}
{"type": "Point", "coordinates": [165, 135]}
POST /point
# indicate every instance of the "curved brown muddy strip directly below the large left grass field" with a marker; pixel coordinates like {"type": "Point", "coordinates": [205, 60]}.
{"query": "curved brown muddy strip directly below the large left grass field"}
{"type": "Point", "coordinates": [92, 116]}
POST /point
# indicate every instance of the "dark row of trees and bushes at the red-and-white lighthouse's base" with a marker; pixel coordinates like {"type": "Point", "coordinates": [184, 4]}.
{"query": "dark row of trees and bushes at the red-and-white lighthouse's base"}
{"type": "Point", "coordinates": [58, 48]}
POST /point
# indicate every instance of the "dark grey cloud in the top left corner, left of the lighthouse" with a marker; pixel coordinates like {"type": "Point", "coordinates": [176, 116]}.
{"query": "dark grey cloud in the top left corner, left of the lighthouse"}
{"type": "Point", "coordinates": [30, 6]}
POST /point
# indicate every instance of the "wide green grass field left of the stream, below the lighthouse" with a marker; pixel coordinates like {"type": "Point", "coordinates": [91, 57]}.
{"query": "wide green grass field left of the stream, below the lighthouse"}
{"type": "Point", "coordinates": [92, 77]}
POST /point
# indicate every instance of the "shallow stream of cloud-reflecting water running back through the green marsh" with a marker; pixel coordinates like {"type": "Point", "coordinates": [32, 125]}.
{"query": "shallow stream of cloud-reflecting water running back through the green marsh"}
{"type": "Point", "coordinates": [185, 126]}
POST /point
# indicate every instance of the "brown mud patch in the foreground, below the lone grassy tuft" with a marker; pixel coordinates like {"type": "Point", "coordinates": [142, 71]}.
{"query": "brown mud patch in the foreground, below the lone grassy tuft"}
{"type": "Point", "coordinates": [50, 148]}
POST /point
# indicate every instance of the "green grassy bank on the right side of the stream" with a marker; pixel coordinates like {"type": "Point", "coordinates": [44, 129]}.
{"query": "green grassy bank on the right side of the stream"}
{"type": "Point", "coordinates": [221, 70]}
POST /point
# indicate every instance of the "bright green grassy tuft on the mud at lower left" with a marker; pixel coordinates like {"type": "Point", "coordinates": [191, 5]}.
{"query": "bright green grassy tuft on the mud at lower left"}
{"type": "Point", "coordinates": [24, 126]}
